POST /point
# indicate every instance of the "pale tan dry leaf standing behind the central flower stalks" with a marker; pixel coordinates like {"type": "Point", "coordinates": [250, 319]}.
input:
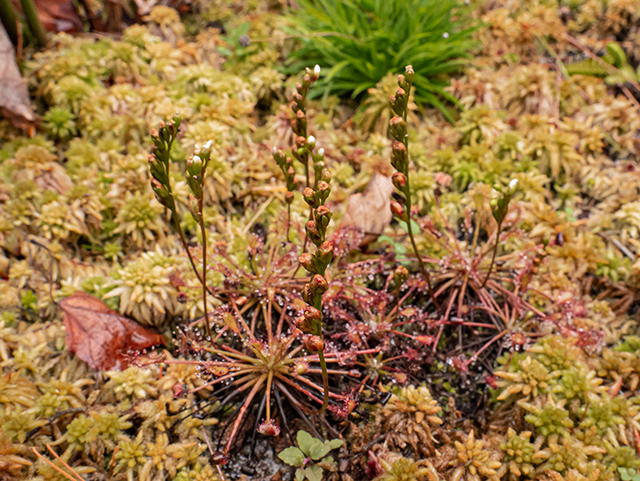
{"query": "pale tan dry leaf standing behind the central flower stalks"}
{"type": "Point", "coordinates": [369, 212]}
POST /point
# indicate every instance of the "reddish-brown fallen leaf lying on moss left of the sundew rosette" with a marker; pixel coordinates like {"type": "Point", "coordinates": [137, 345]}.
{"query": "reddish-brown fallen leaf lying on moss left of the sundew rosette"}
{"type": "Point", "coordinates": [100, 336]}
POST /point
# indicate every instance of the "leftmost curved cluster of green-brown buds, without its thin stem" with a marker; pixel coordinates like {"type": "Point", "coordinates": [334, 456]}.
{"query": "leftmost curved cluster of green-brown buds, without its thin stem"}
{"type": "Point", "coordinates": [159, 161]}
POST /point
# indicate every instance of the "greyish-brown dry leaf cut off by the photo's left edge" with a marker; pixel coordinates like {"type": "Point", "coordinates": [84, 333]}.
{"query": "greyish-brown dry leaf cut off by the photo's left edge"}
{"type": "Point", "coordinates": [14, 96]}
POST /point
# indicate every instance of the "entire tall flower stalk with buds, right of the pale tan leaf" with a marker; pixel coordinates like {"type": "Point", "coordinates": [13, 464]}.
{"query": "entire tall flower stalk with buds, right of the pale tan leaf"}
{"type": "Point", "coordinates": [400, 161]}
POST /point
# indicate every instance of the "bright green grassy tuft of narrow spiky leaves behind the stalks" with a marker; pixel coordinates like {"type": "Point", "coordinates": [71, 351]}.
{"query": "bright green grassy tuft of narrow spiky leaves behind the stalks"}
{"type": "Point", "coordinates": [360, 41]}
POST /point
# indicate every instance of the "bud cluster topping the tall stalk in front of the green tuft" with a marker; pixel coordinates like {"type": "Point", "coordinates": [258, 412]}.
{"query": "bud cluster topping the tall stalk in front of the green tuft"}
{"type": "Point", "coordinates": [399, 103]}
